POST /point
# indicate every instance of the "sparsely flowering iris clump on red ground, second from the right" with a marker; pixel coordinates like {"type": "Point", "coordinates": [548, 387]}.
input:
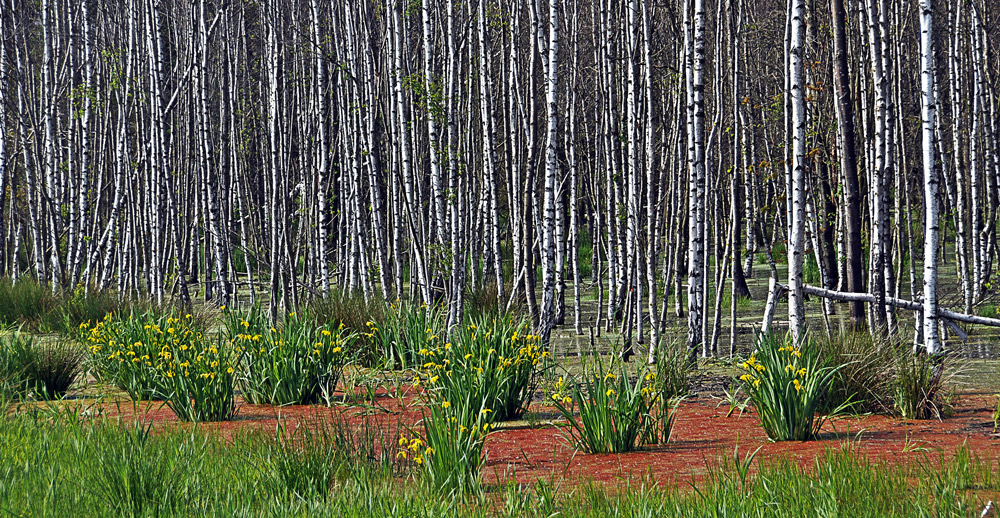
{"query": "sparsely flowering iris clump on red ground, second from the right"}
{"type": "Point", "coordinates": [619, 410]}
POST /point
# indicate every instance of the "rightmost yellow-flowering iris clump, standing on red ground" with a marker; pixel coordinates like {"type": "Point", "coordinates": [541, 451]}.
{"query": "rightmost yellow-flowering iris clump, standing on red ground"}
{"type": "Point", "coordinates": [786, 381]}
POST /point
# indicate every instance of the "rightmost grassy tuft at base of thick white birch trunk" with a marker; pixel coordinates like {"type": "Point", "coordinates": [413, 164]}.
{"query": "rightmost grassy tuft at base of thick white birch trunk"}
{"type": "Point", "coordinates": [920, 384]}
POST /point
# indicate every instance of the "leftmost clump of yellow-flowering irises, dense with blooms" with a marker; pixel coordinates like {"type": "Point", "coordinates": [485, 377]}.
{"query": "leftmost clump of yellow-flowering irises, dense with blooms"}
{"type": "Point", "coordinates": [131, 353]}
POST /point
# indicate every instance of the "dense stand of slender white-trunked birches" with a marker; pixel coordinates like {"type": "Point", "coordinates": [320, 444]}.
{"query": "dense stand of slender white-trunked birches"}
{"type": "Point", "coordinates": [624, 166]}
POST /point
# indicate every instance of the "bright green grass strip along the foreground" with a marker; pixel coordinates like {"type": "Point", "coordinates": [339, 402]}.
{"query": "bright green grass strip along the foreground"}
{"type": "Point", "coordinates": [58, 463]}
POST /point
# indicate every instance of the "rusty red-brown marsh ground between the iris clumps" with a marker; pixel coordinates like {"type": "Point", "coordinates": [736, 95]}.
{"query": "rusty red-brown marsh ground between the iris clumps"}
{"type": "Point", "coordinates": [702, 435]}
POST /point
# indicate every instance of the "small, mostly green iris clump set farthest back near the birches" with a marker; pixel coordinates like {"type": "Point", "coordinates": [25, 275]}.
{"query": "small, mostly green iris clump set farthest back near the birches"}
{"type": "Point", "coordinates": [408, 329]}
